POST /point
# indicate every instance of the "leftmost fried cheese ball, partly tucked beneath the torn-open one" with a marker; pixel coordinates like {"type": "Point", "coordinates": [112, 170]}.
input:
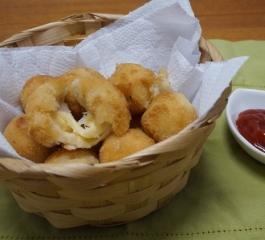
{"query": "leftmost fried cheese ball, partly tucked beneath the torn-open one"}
{"type": "Point", "coordinates": [23, 144]}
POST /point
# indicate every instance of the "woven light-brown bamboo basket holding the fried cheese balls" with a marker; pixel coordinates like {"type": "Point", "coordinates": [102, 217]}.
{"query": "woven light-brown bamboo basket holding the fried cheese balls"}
{"type": "Point", "coordinates": [70, 195]}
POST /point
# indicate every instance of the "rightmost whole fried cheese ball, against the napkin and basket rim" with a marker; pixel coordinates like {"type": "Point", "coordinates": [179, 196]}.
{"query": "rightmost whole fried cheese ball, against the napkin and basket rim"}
{"type": "Point", "coordinates": [168, 114]}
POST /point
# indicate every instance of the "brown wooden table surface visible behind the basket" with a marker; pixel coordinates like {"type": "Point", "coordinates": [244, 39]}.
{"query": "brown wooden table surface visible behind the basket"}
{"type": "Point", "coordinates": [221, 19]}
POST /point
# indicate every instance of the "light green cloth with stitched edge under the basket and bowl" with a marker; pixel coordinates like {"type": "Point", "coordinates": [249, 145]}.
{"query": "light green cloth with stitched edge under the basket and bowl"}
{"type": "Point", "coordinates": [224, 197]}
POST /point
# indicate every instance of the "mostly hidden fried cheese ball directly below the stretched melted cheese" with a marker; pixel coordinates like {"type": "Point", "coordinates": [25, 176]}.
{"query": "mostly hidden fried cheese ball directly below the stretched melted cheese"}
{"type": "Point", "coordinates": [78, 155]}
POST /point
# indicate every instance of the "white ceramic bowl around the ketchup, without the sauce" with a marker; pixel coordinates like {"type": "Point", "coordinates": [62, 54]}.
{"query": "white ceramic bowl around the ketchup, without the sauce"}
{"type": "Point", "coordinates": [242, 99]}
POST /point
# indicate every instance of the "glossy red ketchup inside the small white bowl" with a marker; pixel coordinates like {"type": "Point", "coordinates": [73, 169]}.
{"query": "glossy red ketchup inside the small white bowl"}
{"type": "Point", "coordinates": [251, 125]}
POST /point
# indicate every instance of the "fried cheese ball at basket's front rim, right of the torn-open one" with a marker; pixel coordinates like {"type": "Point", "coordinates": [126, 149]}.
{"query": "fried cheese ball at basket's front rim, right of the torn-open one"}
{"type": "Point", "coordinates": [115, 148]}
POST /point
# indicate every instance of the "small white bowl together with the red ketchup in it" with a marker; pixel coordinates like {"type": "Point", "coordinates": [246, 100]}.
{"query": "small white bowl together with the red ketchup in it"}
{"type": "Point", "coordinates": [245, 114]}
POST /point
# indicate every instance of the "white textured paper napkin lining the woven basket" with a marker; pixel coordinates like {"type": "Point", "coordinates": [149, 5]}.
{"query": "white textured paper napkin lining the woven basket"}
{"type": "Point", "coordinates": [159, 34]}
